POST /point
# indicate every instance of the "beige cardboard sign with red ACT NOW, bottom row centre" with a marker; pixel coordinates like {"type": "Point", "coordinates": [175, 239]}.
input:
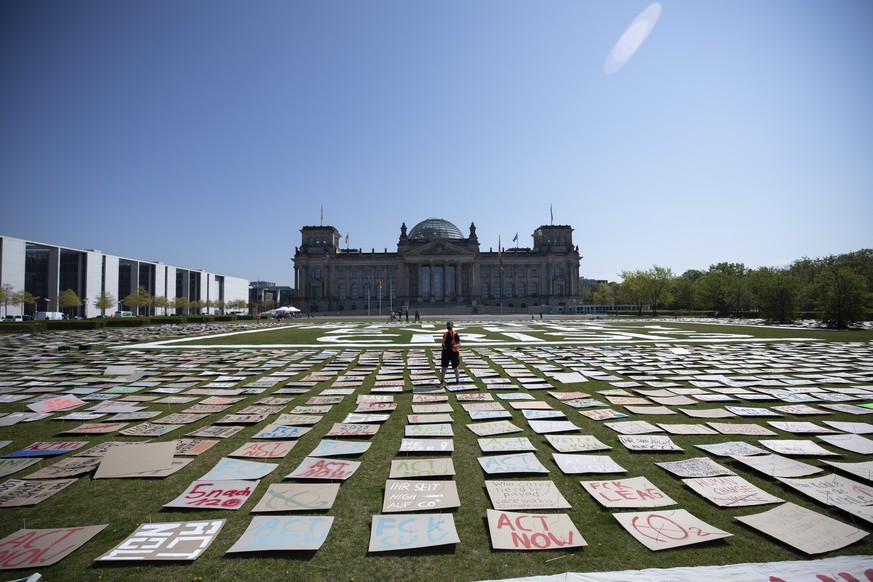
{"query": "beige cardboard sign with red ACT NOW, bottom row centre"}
{"type": "Point", "coordinates": [529, 531]}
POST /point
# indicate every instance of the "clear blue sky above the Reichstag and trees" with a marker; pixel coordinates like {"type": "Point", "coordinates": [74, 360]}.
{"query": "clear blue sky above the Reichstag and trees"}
{"type": "Point", "coordinates": [206, 134]}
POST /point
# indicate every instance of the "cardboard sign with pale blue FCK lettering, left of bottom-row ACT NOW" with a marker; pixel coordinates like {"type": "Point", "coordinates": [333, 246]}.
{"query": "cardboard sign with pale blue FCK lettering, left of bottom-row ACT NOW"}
{"type": "Point", "coordinates": [390, 533]}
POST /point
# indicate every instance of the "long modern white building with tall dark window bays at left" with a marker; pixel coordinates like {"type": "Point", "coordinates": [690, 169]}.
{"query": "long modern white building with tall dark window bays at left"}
{"type": "Point", "coordinates": [46, 270]}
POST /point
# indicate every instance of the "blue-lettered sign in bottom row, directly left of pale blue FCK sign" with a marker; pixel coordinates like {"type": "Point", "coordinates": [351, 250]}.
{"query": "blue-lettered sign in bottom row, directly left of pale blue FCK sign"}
{"type": "Point", "coordinates": [271, 533]}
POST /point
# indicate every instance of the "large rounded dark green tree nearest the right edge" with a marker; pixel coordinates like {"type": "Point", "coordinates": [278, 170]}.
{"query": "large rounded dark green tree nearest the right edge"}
{"type": "Point", "coordinates": [841, 295]}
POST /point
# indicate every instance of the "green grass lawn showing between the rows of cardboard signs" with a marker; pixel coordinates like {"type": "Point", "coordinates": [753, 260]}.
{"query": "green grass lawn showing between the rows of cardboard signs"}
{"type": "Point", "coordinates": [124, 504]}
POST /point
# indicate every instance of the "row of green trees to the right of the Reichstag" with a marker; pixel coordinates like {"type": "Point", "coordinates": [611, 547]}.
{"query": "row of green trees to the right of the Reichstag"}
{"type": "Point", "coordinates": [835, 289]}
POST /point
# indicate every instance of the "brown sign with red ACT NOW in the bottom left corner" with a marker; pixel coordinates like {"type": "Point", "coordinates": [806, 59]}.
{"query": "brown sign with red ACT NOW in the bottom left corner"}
{"type": "Point", "coordinates": [38, 548]}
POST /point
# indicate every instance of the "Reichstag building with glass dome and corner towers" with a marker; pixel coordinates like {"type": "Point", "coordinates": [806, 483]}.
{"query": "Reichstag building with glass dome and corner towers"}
{"type": "Point", "coordinates": [436, 266]}
